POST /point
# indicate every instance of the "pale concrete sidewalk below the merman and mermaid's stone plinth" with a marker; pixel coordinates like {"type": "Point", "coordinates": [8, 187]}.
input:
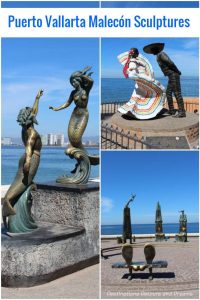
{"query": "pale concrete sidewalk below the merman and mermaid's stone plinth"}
{"type": "Point", "coordinates": [83, 284]}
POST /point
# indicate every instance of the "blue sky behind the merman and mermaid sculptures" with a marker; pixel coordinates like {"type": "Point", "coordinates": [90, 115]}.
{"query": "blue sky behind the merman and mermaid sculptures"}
{"type": "Point", "coordinates": [30, 64]}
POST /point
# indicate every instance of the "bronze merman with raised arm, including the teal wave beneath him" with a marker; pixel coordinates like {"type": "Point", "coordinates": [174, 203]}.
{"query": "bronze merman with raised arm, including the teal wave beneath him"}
{"type": "Point", "coordinates": [16, 206]}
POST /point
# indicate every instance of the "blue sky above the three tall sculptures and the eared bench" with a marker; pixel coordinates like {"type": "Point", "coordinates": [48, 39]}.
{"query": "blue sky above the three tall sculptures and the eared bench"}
{"type": "Point", "coordinates": [170, 177]}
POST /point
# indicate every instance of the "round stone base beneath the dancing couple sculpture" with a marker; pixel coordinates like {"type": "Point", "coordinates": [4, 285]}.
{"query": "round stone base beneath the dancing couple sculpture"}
{"type": "Point", "coordinates": [174, 133]}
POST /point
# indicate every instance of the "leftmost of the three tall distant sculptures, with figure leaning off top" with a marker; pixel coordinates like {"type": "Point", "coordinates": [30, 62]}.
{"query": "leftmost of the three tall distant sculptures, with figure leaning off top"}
{"type": "Point", "coordinates": [127, 230]}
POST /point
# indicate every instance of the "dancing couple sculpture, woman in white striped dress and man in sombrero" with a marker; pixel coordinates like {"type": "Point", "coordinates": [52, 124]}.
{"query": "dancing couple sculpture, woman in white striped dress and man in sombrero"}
{"type": "Point", "coordinates": [148, 97]}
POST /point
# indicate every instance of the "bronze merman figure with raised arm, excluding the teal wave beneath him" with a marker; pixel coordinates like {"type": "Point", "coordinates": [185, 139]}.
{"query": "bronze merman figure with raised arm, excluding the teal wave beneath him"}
{"type": "Point", "coordinates": [28, 163]}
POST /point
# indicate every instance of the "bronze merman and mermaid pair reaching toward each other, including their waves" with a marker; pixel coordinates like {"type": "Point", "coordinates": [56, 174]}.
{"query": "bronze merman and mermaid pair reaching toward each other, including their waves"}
{"type": "Point", "coordinates": [16, 209]}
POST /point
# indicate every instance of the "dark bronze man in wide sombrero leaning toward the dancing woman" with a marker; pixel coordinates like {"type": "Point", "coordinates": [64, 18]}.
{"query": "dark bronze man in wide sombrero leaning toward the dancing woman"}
{"type": "Point", "coordinates": [170, 70]}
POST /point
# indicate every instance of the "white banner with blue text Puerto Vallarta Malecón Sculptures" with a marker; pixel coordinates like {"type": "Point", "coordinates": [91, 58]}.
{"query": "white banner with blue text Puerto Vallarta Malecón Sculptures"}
{"type": "Point", "coordinates": [101, 22]}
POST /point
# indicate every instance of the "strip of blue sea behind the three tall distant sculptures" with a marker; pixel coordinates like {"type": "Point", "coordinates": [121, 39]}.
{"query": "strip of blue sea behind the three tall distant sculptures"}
{"type": "Point", "coordinates": [147, 228]}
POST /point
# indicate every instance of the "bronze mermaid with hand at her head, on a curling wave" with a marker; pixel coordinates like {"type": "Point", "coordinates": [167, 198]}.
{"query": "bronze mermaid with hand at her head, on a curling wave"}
{"type": "Point", "coordinates": [82, 83]}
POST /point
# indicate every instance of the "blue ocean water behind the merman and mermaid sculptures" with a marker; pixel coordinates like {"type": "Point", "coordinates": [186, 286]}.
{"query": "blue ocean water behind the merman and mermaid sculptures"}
{"type": "Point", "coordinates": [53, 163]}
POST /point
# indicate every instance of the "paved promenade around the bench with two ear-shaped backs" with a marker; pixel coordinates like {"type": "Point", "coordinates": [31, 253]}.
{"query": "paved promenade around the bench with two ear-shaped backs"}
{"type": "Point", "coordinates": [178, 280]}
